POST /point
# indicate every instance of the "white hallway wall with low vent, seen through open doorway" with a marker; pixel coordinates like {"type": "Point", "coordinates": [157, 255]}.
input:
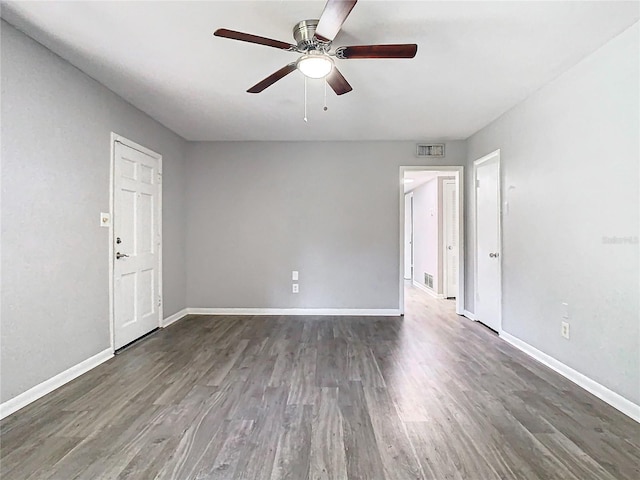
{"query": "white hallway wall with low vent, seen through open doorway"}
{"type": "Point", "coordinates": [425, 232]}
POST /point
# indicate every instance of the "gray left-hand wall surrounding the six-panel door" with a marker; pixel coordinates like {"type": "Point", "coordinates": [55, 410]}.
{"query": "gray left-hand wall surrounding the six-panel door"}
{"type": "Point", "coordinates": [56, 123]}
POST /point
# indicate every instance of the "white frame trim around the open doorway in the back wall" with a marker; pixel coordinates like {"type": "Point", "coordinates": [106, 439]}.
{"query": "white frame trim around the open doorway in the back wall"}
{"type": "Point", "coordinates": [458, 170]}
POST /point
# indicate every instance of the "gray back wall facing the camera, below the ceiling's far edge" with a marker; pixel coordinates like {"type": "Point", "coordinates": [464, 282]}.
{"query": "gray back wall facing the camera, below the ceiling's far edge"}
{"type": "Point", "coordinates": [257, 210]}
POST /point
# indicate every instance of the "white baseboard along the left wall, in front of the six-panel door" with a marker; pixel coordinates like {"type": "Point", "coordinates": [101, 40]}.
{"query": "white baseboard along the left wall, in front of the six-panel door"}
{"type": "Point", "coordinates": [40, 390]}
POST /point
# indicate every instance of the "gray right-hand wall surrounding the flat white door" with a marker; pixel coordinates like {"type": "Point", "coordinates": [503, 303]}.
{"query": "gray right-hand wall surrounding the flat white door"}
{"type": "Point", "coordinates": [570, 166]}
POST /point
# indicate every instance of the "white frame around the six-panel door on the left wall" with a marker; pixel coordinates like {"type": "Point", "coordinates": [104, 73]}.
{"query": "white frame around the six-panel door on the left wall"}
{"type": "Point", "coordinates": [131, 144]}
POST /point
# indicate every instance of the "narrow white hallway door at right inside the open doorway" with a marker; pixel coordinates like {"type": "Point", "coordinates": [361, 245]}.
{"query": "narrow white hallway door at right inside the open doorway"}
{"type": "Point", "coordinates": [450, 231]}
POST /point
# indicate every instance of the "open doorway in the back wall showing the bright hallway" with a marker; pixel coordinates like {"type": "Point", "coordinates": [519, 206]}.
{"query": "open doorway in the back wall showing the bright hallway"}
{"type": "Point", "coordinates": [432, 234]}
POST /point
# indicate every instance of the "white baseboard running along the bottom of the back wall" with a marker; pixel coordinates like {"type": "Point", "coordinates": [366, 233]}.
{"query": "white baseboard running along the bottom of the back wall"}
{"type": "Point", "coordinates": [369, 312]}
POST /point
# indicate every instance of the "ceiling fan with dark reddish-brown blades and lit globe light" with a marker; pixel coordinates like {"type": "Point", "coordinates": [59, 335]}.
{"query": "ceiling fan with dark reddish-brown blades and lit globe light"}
{"type": "Point", "coordinates": [313, 40]}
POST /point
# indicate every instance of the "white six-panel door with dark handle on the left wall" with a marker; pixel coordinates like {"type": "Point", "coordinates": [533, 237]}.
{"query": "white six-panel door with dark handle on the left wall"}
{"type": "Point", "coordinates": [136, 236]}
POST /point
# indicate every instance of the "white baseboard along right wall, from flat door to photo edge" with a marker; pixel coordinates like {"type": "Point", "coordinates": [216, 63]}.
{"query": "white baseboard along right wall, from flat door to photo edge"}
{"type": "Point", "coordinates": [603, 393]}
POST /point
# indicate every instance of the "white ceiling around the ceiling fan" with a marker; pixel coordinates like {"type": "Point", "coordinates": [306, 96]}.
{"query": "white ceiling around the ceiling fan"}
{"type": "Point", "coordinates": [475, 61]}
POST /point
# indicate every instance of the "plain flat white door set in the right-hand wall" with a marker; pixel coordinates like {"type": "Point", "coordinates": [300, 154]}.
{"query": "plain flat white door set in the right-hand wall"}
{"type": "Point", "coordinates": [488, 263]}
